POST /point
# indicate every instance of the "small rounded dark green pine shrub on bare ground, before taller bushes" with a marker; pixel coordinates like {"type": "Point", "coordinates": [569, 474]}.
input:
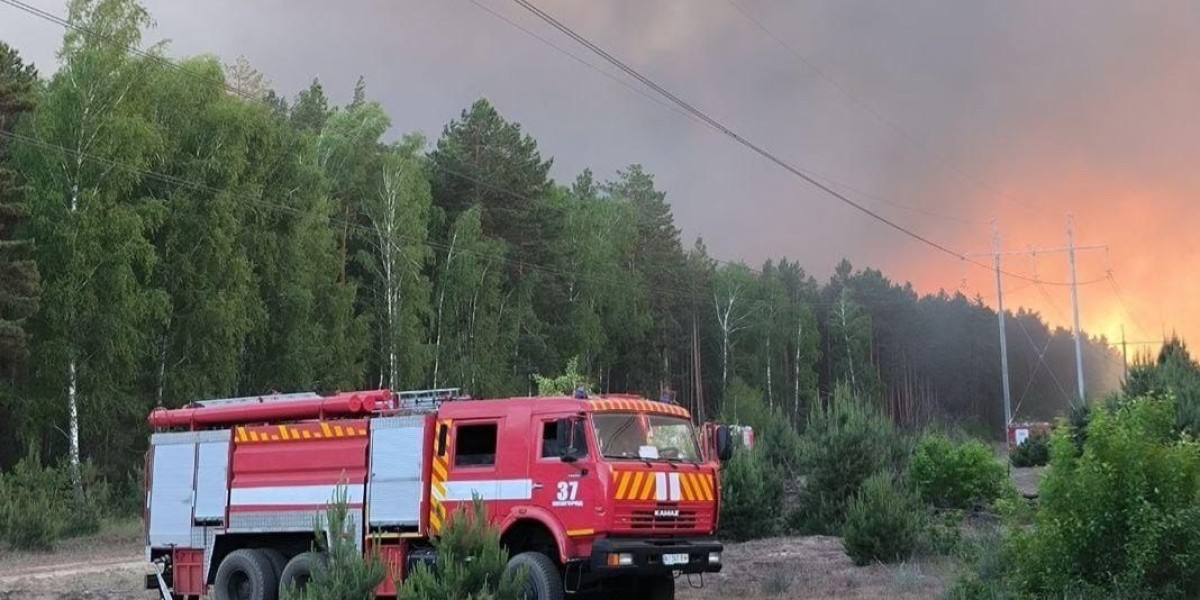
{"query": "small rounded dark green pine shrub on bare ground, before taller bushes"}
{"type": "Point", "coordinates": [884, 523]}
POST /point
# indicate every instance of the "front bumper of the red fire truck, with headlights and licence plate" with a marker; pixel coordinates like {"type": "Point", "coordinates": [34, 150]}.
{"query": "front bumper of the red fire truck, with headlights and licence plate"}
{"type": "Point", "coordinates": [646, 557]}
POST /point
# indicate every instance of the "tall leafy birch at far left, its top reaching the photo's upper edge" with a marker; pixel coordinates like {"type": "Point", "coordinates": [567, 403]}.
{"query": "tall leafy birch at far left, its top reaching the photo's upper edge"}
{"type": "Point", "coordinates": [88, 223]}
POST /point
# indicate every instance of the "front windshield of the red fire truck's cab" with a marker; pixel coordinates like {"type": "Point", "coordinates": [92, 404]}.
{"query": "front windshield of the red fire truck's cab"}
{"type": "Point", "coordinates": [640, 436]}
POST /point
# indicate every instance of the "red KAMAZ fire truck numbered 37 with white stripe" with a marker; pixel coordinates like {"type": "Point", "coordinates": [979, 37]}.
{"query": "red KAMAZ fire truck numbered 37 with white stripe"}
{"type": "Point", "coordinates": [611, 495]}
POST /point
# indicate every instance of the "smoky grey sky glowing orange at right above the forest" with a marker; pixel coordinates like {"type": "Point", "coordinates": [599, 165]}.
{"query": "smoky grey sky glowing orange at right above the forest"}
{"type": "Point", "coordinates": [940, 115]}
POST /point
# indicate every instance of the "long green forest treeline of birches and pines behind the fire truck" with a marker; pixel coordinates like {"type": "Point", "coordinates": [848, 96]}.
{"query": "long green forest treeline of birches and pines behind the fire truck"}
{"type": "Point", "coordinates": [177, 231]}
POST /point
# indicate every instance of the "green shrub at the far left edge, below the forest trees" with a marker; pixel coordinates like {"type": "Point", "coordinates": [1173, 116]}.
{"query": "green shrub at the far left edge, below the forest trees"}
{"type": "Point", "coordinates": [33, 506]}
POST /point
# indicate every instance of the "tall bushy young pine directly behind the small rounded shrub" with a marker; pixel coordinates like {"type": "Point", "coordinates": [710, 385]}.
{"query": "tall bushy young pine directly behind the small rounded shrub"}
{"type": "Point", "coordinates": [843, 446]}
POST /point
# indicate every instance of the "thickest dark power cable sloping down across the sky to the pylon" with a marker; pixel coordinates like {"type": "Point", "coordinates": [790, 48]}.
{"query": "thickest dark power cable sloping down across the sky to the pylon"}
{"type": "Point", "coordinates": [749, 145]}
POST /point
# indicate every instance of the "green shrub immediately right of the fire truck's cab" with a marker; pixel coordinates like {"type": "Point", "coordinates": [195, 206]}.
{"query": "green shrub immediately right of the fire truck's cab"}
{"type": "Point", "coordinates": [752, 497]}
